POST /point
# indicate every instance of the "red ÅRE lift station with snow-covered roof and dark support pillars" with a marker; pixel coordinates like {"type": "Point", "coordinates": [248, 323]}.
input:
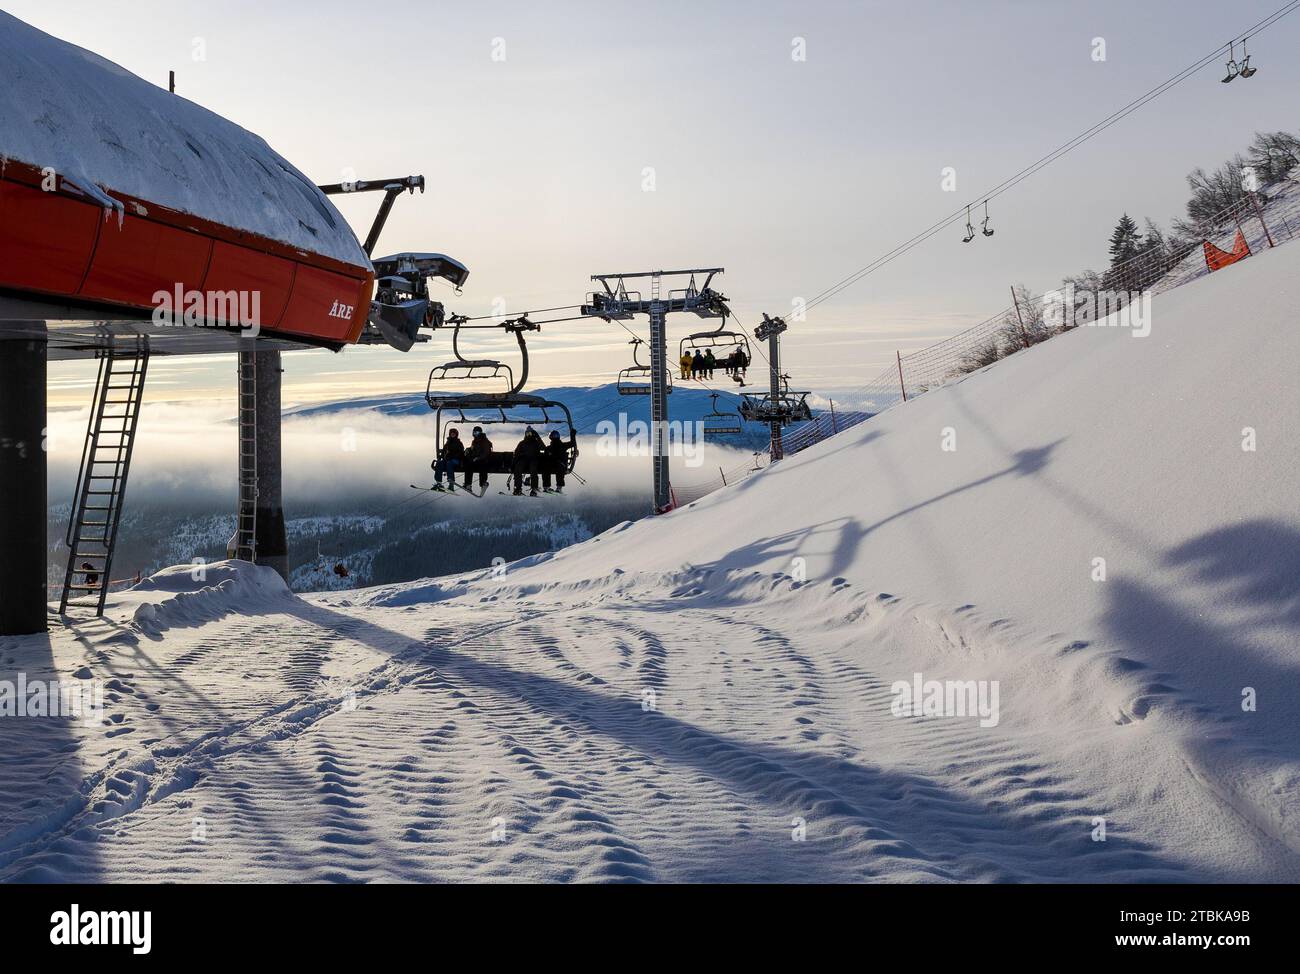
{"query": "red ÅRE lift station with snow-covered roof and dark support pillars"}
{"type": "Point", "coordinates": [135, 223]}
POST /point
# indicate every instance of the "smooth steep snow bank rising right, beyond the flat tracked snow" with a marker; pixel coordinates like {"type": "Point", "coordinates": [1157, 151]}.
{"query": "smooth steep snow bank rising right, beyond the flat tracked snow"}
{"type": "Point", "coordinates": [1126, 505]}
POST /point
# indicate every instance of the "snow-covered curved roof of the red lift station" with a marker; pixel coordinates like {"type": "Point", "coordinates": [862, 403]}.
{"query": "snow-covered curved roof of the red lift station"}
{"type": "Point", "coordinates": [97, 124]}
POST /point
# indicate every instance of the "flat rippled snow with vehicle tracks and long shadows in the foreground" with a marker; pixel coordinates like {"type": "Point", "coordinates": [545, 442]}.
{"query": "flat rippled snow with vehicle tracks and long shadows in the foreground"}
{"type": "Point", "coordinates": [536, 726]}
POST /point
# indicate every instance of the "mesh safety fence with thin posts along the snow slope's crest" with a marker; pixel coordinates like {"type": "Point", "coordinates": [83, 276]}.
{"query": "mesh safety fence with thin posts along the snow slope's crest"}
{"type": "Point", "coordinates": [1033, 319]}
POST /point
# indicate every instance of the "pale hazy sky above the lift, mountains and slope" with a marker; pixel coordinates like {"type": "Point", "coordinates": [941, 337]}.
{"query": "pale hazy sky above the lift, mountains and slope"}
{"type": "Point", "coordinates": [788, 174]}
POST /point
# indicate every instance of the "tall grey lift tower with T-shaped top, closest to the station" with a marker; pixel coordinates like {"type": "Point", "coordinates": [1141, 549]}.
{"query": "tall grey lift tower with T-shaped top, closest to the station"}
{"type": "Point", "coordinates": [617, 304]}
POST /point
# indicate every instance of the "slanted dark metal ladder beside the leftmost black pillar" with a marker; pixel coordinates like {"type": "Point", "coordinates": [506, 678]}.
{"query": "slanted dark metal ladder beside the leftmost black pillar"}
{"type": "Point", "coordinates": [102, 480]}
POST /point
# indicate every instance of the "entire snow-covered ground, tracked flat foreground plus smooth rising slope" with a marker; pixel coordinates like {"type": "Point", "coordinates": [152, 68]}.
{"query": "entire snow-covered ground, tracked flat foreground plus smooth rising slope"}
{"type": "Point", "coordinates": [714, 695]}
